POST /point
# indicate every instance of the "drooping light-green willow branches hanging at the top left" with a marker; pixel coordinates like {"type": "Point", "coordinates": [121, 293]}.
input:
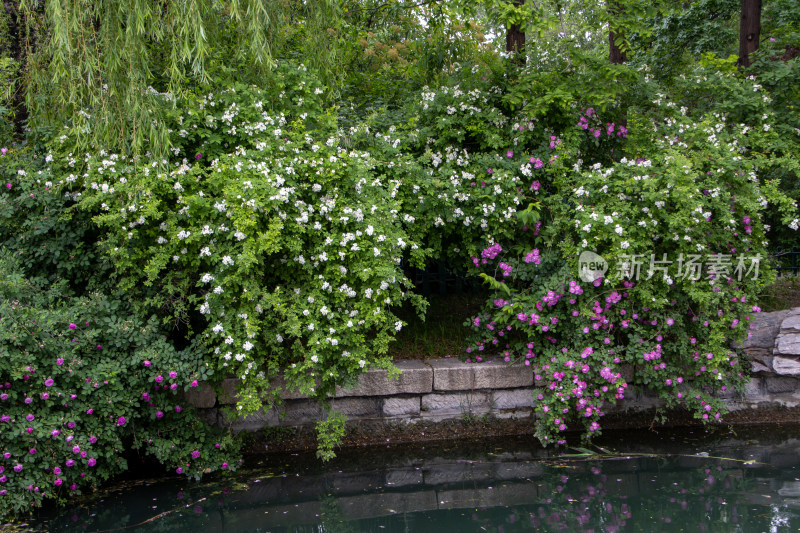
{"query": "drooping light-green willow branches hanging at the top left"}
{"type": "Point", "coordinates": [104, 69]}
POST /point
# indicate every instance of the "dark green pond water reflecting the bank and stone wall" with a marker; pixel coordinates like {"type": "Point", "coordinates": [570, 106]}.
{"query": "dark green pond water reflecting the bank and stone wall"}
{"type": "Point", "coordinates": [687, 480]}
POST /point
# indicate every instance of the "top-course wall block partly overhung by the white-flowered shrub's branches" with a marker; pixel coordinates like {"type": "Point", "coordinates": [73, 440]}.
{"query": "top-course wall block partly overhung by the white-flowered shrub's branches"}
{"type": "Point", "coordinates": [416, 378]}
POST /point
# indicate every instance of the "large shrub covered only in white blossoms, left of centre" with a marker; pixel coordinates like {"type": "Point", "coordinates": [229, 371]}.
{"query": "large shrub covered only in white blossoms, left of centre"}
{"type": "Point", "coordinates": [282, 251]}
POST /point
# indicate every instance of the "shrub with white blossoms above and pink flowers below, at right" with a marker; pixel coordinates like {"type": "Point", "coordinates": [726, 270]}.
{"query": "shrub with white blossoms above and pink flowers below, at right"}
{"type": "Point", "coordinates": [682, 236]}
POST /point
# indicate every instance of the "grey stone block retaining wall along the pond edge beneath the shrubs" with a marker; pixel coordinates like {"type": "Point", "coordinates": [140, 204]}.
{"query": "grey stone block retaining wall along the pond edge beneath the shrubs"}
{"type": "Point", "coordinates": [441, 389]}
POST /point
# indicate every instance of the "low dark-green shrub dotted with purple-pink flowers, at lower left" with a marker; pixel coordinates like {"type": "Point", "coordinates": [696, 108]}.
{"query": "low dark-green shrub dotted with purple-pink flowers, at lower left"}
{"type": "Point", "coordinates": [82, 379]}
